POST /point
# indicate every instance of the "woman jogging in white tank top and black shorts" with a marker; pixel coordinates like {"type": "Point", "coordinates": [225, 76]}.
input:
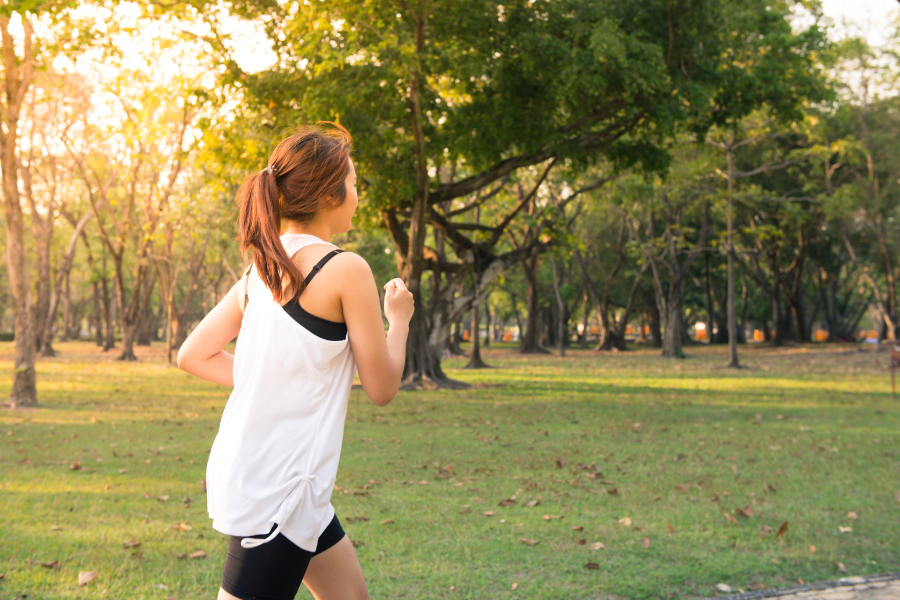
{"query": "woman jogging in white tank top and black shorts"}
{"type": "Point", "coordinates": [309, 317]}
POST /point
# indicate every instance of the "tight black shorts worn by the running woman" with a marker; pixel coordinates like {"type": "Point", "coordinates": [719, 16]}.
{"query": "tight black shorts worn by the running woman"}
{"type": "Point", "coordinates": [274, 570]}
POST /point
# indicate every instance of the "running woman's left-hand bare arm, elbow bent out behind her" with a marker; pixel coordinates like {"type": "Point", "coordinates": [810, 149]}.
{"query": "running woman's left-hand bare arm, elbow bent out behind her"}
{"type": "Point", "coordinates": [202, 354]}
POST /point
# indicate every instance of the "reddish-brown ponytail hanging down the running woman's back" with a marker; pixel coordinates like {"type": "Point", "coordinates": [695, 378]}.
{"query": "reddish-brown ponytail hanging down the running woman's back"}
{"type": "Point", "coordinates": [260, 227]}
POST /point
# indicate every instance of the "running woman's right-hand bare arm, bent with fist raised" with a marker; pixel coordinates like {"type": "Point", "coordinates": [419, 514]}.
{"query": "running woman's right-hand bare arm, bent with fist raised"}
{"type": "Point", "coordinates": [379, 359]}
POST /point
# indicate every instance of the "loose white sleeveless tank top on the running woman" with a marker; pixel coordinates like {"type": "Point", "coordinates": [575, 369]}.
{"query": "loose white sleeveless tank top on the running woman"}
{"type": "Point", "coordinates": [275, 458]}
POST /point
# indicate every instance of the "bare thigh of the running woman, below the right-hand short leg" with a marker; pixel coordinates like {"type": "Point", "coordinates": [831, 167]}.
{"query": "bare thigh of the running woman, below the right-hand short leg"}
{"type": "Point", "coordinates": [335, 574]}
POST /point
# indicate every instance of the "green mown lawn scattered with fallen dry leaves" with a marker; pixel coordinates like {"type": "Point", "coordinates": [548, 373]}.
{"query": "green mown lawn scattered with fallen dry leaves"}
{"type": "Point", "coordinates": [706, 463]}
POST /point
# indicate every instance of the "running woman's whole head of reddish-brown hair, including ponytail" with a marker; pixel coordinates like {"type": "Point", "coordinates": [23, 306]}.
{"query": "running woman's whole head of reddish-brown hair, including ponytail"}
{"type": "Point", "coordinates": [306, 172]}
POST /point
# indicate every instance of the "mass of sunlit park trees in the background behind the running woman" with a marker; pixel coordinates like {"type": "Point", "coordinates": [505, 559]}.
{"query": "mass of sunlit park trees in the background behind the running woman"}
{"type": "Point", "coordinates": [696, 166]}
